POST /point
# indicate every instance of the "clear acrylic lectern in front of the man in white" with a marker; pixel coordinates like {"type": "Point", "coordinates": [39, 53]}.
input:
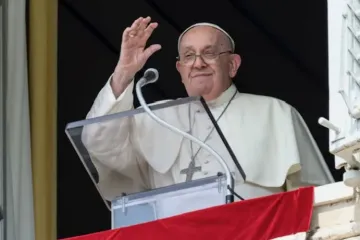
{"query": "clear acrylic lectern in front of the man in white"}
{"type": "Point", "coordinates": [135, 191]}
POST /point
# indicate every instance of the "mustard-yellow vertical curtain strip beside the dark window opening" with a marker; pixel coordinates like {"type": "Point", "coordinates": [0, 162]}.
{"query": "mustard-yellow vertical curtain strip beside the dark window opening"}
{"type": "Point", "coordinates": [43, 95]}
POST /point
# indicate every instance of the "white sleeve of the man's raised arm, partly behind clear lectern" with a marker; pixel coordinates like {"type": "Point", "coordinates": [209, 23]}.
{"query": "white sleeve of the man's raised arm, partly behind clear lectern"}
{"type": "Point", "coordinates": [112, 144]}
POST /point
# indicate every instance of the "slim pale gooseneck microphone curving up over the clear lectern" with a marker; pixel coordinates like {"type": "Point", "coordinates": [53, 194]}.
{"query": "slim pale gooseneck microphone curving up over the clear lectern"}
{"type": "Point", "coordinates": [150, 76]}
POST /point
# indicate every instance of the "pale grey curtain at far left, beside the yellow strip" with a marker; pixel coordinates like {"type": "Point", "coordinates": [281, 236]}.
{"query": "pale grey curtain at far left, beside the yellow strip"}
{"type": "Point", "coordinates": [19, 215]}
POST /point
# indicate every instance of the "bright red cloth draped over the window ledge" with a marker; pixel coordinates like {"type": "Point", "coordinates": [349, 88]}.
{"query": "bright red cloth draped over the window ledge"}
{"type": "Point", "coordinates": [254, 219]}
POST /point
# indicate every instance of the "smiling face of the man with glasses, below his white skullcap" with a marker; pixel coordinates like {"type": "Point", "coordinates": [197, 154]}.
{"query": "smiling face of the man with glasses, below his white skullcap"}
{"type": "Point", "coordinates": [212, 73]}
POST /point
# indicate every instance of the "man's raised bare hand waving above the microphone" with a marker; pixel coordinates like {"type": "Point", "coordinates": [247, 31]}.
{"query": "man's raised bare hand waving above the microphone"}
{"type": "Point", "coordinates": [133, 55]}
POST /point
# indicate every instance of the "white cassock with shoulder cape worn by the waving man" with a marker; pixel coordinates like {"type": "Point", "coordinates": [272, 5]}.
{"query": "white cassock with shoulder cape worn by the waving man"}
{"type": "Point", "coordinates": [268, 137]}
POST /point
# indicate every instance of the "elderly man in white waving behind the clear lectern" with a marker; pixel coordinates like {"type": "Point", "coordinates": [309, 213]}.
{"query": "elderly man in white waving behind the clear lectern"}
{"type": "Point", "coordinates": [269, 138]}
